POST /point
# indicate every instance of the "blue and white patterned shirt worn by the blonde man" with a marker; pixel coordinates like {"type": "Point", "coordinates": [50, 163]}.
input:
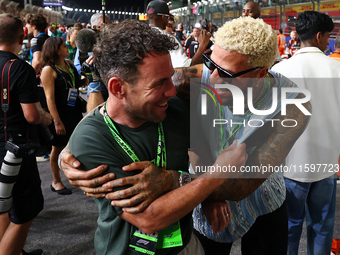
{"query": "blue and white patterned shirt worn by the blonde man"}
{"type": "Point", "coordinates": [270, 195]}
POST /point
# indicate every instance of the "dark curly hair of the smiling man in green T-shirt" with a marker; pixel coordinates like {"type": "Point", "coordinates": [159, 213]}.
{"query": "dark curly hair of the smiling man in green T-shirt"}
{"type": "Point", "coordinates": [121, 48]}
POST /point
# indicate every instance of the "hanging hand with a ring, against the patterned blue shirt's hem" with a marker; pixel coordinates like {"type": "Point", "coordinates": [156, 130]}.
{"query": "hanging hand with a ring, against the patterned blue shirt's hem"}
{"type": "Point", "coordinates": [218, 214]}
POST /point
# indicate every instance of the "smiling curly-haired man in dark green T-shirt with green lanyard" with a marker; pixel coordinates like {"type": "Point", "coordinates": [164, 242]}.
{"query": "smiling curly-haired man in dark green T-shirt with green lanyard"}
{"type": "Point", "coordinates": [143, 117]}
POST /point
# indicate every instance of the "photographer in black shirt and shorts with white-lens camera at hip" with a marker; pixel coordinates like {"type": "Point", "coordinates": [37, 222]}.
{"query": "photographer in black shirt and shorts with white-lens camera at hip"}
{"type": "Point", "coordinates": [22, 186]}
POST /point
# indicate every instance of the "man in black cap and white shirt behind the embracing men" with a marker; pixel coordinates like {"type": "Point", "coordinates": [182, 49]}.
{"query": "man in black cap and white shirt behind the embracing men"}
{"type": "Point", "coordinates": [158, 14]}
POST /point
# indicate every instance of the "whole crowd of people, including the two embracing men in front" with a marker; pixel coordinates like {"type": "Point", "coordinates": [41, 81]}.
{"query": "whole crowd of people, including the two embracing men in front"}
{"type": "Point", "coordinates": [151, 124]}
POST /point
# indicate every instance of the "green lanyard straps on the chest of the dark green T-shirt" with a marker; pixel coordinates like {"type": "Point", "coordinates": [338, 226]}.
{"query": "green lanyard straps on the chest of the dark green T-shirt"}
{"type": "Point", "coordinates": [161, 150]}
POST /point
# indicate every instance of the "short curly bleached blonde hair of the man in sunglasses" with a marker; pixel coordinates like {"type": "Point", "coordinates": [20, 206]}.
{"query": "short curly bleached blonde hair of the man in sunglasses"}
{"type": "Point", "coordinates": [251, 37]}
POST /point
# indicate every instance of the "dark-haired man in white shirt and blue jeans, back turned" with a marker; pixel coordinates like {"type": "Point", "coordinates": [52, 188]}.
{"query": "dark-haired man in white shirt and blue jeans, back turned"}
{"type": "Point", "coordinates": [311, 191]}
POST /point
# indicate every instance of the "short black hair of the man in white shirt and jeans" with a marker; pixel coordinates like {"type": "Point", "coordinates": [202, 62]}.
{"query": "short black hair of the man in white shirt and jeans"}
{"type": "Point", "coordinates": [309, 23]}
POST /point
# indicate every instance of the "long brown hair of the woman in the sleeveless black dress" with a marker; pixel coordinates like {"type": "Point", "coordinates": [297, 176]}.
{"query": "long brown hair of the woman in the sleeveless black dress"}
{"type": "Point", "coordinates": [49, 53]}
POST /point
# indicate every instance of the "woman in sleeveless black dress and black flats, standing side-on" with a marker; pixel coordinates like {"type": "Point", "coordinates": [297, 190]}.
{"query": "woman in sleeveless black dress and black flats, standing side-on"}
{"type": "Point", "coordinates": [60, 82]}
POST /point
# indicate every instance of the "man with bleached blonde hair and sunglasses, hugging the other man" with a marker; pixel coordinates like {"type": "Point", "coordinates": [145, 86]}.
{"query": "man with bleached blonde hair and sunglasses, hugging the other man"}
{"type": "Point", "coordinates": [255, 210]}
